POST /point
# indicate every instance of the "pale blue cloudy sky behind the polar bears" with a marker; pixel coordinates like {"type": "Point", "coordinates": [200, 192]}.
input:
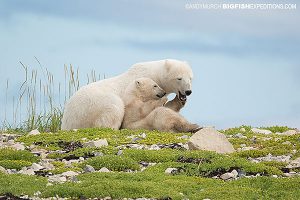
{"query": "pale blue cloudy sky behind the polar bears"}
{"type": "Point", "coordinates": [246, 63]}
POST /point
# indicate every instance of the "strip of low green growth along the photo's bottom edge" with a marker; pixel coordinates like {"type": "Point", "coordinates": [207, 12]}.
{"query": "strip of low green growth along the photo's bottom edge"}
{"type": "Point", "coordinates": [120, 185]}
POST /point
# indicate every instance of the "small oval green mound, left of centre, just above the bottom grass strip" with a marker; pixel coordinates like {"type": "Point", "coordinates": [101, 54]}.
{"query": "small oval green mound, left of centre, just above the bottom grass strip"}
{"type": "Point", "coordinates": [112, 162]}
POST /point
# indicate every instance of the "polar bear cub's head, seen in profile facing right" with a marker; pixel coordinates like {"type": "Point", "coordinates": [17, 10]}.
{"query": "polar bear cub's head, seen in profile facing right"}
{"type": "Point", "coordinates": [147, 89]}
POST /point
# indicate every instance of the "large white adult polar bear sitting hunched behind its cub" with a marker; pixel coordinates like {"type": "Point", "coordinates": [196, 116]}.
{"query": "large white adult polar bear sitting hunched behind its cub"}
{"type": "Point", "coordinates": [100, 104]}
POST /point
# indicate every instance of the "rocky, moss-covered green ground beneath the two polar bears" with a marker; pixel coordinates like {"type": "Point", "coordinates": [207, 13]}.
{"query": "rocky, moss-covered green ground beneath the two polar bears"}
{"type": "Point", "coordinates": [256, 163]}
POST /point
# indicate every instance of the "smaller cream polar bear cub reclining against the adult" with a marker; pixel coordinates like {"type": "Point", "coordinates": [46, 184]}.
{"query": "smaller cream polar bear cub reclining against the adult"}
{"type": "Point", "coordinates": [144, 109]}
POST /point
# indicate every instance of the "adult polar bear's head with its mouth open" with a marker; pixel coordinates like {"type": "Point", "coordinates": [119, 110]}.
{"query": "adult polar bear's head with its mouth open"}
{"type": "Point", "coordinates": [179, 78]}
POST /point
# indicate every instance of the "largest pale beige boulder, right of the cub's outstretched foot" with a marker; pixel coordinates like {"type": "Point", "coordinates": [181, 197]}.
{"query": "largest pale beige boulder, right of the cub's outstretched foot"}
{"type": "Point", "coordinates": [210, 139]}
